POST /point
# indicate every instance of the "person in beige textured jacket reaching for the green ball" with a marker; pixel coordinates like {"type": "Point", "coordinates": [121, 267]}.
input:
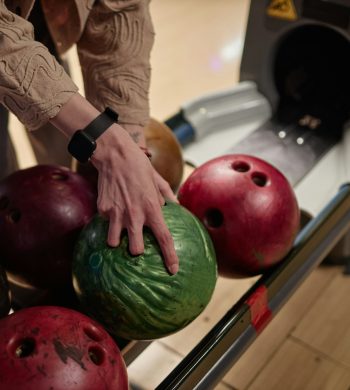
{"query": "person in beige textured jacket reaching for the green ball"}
{"type": "Point", "coordinates": [114, 40]}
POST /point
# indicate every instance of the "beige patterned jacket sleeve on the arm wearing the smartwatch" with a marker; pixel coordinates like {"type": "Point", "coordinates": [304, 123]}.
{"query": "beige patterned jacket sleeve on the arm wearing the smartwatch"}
{"type": "Point", "coordinates": [33, 85]}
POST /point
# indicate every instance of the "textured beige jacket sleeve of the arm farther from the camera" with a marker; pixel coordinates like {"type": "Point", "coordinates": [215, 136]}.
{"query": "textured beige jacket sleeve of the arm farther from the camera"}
{"type": "Point", "coordinates": [114, 53]}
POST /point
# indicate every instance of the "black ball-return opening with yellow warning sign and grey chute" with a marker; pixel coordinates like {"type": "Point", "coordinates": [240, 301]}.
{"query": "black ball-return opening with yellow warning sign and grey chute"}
{"type": "Point", "coordinates": [298, 53]}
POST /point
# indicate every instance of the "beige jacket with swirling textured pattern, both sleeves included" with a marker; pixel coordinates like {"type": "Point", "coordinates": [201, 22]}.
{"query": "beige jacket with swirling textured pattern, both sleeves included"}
{"type": "Point", "coordinates": [114, 39]}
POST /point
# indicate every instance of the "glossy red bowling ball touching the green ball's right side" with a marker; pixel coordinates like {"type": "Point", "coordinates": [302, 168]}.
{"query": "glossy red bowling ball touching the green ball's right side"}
{"type": "Point", "coordinates": [249, 209]}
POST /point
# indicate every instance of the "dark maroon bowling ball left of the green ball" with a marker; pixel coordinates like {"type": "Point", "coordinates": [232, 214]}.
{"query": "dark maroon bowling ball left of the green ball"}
{"type": "Point", "coordinates": [42, 211]}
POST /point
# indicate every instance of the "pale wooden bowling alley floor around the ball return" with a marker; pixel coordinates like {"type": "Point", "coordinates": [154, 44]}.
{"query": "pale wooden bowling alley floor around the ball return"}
{"type": "Point", "coordinates": [307, 345]}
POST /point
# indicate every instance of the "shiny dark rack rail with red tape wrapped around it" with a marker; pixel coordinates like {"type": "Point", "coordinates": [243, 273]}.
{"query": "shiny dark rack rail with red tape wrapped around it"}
{"type": "Point", "coordinates": [216, 353]}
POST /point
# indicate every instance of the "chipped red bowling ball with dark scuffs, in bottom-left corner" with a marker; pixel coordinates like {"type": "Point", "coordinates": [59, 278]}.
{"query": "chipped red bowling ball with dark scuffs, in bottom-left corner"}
{"type": "Point", "coordinates": [50, 347]}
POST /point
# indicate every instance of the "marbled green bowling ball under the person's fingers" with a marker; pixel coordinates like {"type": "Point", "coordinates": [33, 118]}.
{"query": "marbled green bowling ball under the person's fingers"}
{"type": "Point", "coordinates": [135, 297]}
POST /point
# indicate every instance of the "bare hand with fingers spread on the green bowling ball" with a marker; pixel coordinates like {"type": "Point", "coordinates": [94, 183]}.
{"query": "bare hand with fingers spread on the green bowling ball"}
{"type": "Point", "coordinates": [131, 193]}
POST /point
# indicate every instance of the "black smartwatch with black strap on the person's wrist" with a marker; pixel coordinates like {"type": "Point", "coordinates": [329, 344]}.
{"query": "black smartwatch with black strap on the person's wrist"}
{"type": "Point", "coordinates": [83, 143]}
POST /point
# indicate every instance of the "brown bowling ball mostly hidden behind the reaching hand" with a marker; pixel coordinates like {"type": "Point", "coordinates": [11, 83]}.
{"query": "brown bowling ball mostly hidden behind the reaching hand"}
{"type": "Point", "coordinates": [166, 156]}
